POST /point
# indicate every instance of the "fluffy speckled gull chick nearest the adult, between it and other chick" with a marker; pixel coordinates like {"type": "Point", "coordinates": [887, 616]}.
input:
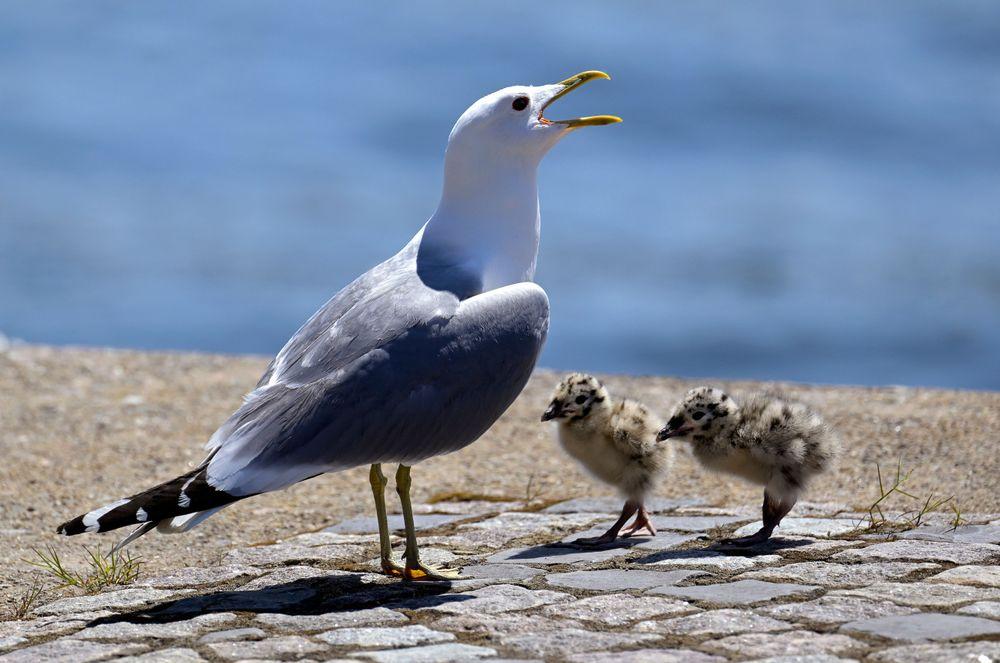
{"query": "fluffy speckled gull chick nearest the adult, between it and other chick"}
{"type": "Point", "coordinates": [615, 441]}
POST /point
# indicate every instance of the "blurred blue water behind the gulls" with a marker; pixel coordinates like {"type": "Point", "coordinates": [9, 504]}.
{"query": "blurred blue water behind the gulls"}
{"type": "Point", "coordinates": [801, 190]}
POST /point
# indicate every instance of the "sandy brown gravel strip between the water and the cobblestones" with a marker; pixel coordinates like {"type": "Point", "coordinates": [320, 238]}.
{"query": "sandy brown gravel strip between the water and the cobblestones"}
{"type": "Point", "coordinates": [79, 428]}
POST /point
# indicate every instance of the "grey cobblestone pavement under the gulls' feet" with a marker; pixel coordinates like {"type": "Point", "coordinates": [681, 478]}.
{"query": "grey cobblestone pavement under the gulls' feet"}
{"type": "Point", "coordinates": [819, 591]}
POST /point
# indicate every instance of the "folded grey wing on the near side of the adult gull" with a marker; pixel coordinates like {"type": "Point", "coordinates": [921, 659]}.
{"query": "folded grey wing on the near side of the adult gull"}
{"type": "Point", "coordinates": [429, 383]}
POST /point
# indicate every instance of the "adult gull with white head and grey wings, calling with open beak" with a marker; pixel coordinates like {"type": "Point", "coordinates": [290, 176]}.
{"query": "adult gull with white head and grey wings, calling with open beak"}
{"type": "Point", "coordinates": [416, 358]}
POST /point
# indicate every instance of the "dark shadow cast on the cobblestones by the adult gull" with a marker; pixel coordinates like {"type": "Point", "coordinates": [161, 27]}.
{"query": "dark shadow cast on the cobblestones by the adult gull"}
{"type": "Point", "coordinates": [308, 596]}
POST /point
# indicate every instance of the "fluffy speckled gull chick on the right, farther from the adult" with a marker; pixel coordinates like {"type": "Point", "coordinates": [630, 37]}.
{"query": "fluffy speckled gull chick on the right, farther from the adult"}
{"type": "Point", "coordinates": [768, 440]}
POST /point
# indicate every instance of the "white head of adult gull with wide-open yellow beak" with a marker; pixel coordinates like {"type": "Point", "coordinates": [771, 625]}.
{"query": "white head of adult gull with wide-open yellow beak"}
{"type": "Point", "coordinates": [511, 121]}
